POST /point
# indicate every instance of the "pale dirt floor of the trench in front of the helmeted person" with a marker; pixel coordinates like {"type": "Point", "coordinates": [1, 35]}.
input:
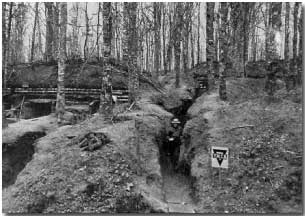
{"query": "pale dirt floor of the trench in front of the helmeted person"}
{"type": "Point", "coordinates": [176, 188]}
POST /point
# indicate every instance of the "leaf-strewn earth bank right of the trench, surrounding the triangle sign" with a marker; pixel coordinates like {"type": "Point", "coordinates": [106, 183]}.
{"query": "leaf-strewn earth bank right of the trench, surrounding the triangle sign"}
{"type": "Point", "coordinates": [265, 141]}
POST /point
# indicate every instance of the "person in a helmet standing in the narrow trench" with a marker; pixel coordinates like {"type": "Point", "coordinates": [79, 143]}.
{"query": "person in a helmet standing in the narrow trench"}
{"type": "Point", "coordinates": [172, 148]}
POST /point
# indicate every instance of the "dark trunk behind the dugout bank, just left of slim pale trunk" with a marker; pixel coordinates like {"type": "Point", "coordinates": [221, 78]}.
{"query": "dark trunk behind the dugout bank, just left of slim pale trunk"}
{"type": "Point", "coordinates": [49, 31]}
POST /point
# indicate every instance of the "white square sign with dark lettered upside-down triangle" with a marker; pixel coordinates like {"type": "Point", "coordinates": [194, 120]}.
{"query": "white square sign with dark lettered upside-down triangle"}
{"type": "Point", "coordinates": [220, 157]}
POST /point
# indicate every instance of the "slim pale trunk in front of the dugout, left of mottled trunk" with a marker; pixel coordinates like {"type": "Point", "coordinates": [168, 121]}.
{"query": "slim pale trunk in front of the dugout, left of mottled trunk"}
{"type": "Point", "coordinates": [60, 101]}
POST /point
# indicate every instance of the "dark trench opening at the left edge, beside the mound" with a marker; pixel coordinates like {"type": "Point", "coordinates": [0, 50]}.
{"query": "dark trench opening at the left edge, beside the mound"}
{"type": "Point", "coordinates": [16, 156]}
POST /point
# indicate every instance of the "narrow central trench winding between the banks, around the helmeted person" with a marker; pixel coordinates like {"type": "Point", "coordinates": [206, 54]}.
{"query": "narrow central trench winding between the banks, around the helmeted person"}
{"type": "Point", "coordinates": [177, 182]}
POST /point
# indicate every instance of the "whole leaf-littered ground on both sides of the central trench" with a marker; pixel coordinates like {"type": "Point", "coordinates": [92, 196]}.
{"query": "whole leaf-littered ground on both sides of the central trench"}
{"type": "Point", "coordinates": [128, 174]}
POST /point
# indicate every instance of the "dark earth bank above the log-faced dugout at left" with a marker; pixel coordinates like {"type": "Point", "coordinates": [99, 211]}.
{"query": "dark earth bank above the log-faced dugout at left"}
{"type": "Point", "coordinates": [76, 76]}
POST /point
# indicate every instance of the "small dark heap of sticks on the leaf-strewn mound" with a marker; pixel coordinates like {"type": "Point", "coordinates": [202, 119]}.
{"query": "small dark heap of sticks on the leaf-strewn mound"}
{"type": "Point", "coordinates": [93, 141]}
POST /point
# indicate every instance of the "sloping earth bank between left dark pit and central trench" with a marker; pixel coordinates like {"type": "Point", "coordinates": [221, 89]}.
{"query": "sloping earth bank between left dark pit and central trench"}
{"type": "Point", "coordinates": [122, 176]}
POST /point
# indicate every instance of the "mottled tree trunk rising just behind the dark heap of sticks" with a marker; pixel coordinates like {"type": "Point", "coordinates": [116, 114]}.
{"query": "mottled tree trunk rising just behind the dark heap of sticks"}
{"type": "Point", "coordinates": [106, 90]}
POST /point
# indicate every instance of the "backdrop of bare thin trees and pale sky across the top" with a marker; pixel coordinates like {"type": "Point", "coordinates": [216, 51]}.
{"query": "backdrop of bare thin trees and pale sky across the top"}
{"type": "Point", "coordinates": [251, 32]}
